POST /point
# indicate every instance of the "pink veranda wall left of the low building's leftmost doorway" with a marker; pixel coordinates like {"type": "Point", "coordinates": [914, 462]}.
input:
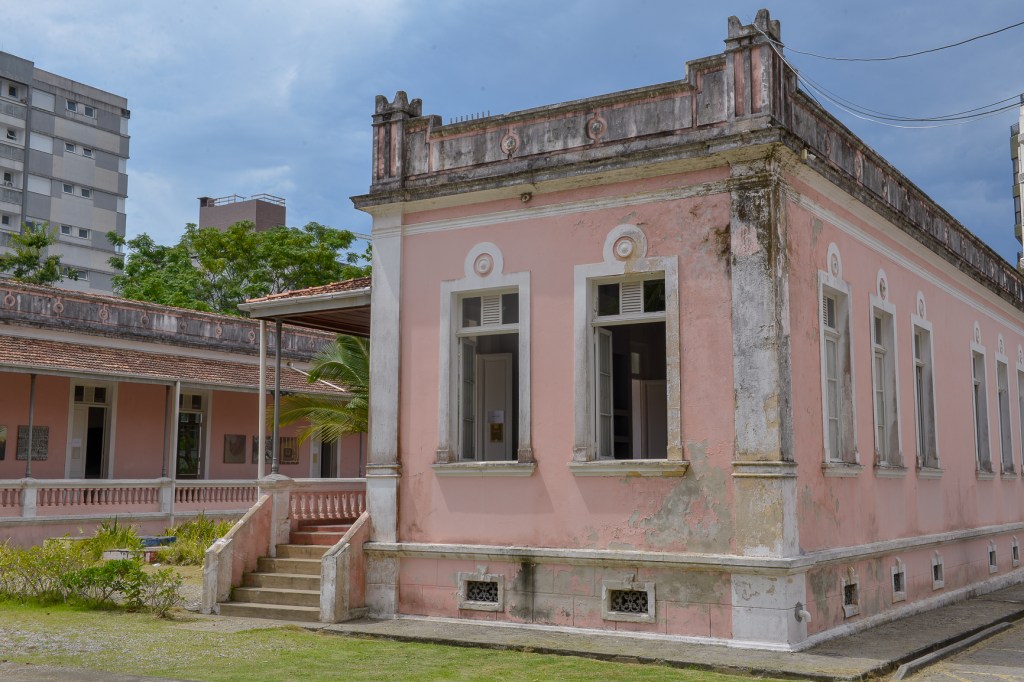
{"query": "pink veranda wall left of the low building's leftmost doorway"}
{"type": "Point", "coordinates": [53, 396]}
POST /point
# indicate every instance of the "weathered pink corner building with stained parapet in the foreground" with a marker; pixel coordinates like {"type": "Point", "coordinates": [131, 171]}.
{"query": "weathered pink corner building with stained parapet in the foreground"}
{"type": "Point", "coordinates": [690, 360]}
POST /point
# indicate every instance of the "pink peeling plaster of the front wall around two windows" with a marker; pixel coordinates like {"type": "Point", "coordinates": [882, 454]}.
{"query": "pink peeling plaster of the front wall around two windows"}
{"type": "Point", "coordinates": [554, 508]}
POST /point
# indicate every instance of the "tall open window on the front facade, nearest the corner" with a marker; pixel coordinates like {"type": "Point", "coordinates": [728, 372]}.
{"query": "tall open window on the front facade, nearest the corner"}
{"type": "Point", "coordinates": [630, 369]}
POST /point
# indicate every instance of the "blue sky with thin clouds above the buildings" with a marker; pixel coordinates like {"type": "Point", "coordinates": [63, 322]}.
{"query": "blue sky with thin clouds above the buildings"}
{"type": "Point", "coordinates": [253, 97]}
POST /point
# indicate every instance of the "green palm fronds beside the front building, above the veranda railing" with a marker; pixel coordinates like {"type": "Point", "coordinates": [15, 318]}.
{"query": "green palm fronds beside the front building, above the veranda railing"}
{"type": "Point", "coordinates": [346, 364]}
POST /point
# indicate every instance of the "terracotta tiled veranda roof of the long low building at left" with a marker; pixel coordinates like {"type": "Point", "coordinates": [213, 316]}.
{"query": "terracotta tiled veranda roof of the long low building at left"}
{"type": "Point", "coordinates": [23, 355]}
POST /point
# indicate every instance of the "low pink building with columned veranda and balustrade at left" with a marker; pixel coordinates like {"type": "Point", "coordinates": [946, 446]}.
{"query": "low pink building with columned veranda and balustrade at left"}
{"type": "Point", "coordinates": [142, 411]}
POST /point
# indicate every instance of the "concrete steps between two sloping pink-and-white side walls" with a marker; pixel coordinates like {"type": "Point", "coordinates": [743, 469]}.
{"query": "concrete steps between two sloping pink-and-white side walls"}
{"type": "Point", "coordinates": [287, 587]}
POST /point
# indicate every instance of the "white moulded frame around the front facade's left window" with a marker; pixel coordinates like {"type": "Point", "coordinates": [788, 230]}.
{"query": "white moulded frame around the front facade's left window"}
{"type": "Point", "coordinates": [484, 275]}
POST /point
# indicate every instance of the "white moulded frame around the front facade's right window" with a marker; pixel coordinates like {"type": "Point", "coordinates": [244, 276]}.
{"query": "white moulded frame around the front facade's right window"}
{"type": "Point", "coordinates": [632, 242]}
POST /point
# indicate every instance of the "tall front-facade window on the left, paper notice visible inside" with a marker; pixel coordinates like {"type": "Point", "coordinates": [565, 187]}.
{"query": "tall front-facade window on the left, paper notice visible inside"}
{"type": "Point", "coordinates": [488, 338]}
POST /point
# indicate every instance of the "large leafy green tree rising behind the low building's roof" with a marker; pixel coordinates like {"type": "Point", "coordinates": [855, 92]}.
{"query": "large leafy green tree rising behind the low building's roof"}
{"type": "Point", "coordinates": [214, 270]}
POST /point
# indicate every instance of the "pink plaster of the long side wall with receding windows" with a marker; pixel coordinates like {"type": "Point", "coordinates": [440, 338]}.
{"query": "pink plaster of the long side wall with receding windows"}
{"type": "Point", "coordinates": [837, 513]}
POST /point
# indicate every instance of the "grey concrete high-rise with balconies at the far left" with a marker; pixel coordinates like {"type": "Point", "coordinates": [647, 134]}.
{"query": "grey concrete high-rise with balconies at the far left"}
{"type": "Point", "coordinates": [64, 150]}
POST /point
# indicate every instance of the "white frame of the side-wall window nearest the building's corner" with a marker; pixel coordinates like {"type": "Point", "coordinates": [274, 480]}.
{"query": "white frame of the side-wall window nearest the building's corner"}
{"type": "Point", "coordinates": [831, 284]}
